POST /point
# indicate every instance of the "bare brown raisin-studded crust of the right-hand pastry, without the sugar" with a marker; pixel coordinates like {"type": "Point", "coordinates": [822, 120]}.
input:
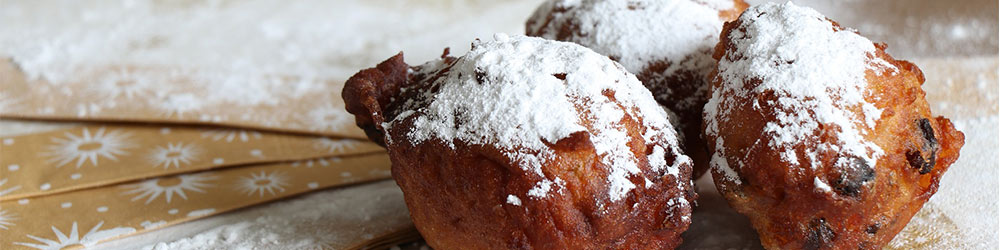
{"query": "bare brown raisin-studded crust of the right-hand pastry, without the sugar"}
{"type": "Point", "coordinates": [868, 206]}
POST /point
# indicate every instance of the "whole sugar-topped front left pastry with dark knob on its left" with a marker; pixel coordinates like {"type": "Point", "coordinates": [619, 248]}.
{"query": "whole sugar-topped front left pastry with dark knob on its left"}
{"type": "Point", "coordinates": [527, 143]}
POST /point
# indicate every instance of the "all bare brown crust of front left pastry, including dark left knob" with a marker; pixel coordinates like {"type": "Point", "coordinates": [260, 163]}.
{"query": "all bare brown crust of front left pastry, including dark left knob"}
{"type": "Point", "coordinates": [456, 195]}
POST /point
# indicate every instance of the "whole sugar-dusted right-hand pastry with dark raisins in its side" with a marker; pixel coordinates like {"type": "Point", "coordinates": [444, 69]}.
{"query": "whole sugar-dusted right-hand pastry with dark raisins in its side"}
{"type": "Point", "coordinates": [818, 135]}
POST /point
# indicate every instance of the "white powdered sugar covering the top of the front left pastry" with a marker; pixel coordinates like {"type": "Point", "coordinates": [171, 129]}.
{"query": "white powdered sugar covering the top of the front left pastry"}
{"type": "Point", "coordinates": [521, 94]}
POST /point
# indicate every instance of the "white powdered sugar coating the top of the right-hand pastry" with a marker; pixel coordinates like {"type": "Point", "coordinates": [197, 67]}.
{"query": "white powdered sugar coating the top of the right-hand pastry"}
{"type": "Point", "coordinates": [816, 71]}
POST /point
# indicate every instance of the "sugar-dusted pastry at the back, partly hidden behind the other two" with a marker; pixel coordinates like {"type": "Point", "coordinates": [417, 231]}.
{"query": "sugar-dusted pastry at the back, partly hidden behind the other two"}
{"type": "Point", "coordinates": [666, 43]}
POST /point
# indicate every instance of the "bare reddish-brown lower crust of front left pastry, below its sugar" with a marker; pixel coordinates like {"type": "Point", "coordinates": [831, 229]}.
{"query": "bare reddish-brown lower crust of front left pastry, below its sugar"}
{"type": "Point", "coordinates": [458, 207]}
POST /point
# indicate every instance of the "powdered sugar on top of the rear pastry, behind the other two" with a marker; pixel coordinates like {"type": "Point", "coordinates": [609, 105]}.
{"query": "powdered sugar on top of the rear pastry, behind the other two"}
{"type": "Point", "coordinates": [640, 34]}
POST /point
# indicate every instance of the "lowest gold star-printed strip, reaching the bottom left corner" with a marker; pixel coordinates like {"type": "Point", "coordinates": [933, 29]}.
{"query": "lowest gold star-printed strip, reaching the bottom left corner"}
{"type": "Point", "coordinates": [86, 217]}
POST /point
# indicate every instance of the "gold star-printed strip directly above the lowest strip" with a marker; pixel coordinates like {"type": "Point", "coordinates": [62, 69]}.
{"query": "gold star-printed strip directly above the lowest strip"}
{"type": "Point", "coordinates": [97, 155]}
